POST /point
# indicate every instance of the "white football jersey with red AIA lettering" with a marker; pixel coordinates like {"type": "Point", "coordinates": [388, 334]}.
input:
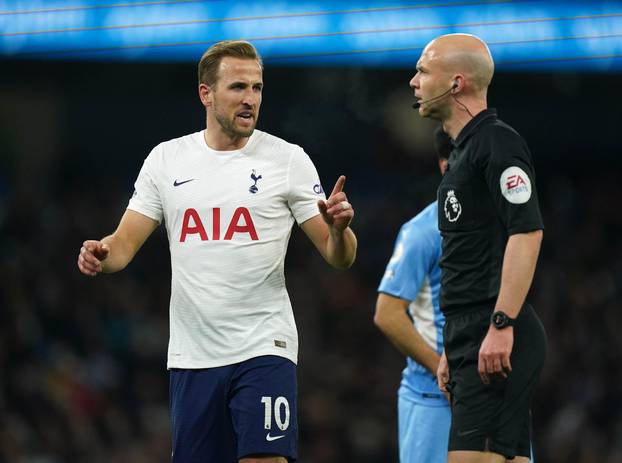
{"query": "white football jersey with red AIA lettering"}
{"type": "Point", "coordinates": [228, 215]}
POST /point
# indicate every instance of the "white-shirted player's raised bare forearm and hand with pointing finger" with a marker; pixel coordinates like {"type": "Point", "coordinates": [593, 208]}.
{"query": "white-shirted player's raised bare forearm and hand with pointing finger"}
{"type": "Point", "coordinates": [330, 231]}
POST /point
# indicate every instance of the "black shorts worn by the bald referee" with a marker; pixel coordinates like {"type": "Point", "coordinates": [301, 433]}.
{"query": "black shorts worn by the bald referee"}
{"type": "Point", "coordinates": [494, 417]}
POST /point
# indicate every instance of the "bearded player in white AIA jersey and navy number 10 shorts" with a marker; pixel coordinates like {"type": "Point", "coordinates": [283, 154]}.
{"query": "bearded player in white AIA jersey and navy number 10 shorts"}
{"type": "Point", "coordinates": [229, 196]}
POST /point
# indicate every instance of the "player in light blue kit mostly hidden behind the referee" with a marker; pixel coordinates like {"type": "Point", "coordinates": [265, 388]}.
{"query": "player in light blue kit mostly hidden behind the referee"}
{"type": "Point", "coordinates": [408, 313]}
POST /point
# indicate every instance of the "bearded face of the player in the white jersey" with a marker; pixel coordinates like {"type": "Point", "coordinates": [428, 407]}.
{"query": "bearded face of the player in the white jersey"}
{"type": "Point", "coordinates": [236, 96]}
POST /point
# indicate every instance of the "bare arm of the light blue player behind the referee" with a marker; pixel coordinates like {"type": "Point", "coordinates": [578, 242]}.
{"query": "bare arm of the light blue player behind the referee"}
{"type": "Point", "coordinates": [393, 321]}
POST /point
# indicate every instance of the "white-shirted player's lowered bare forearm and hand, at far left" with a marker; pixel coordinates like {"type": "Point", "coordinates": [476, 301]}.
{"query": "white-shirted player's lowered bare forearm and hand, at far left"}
{"type": "Point", "coordinates": [115, 251]}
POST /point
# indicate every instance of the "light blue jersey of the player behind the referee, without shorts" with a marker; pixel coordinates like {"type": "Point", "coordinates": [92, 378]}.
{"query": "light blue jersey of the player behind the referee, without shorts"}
{"type": "Point", "coordinates": [413, 274]}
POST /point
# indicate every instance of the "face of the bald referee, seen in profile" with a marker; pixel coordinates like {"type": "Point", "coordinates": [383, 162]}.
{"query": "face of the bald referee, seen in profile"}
{"type": "Point", "coordinates": [429, 82]}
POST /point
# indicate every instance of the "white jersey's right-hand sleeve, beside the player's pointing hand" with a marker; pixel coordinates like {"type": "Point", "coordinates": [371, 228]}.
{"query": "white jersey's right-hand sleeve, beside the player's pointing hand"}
{"type": "Point", "coordinates": [305, 187]}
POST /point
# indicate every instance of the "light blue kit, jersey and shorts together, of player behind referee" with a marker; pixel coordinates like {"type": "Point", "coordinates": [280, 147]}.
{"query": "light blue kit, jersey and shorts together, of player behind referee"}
{"type": "Point", "coordinates": [413, 275]}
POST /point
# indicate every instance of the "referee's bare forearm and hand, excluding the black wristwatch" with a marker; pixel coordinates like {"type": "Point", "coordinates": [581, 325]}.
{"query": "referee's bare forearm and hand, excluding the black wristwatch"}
{"type": "Point", "coordinates": [519, 264]}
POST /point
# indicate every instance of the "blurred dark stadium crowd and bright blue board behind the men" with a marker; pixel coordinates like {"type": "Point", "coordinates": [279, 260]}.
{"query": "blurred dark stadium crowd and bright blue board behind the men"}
{"type": "Point", "coordinates": [88, 87]}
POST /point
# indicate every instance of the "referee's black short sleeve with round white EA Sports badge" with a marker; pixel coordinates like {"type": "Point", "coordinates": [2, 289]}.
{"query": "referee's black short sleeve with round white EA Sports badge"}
{"type": "Point", "coordinates": [510, 176]}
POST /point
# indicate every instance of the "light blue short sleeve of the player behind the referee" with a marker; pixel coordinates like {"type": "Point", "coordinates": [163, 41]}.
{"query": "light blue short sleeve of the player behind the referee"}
{"type": "Point", "coordinates": [413, 256]}
